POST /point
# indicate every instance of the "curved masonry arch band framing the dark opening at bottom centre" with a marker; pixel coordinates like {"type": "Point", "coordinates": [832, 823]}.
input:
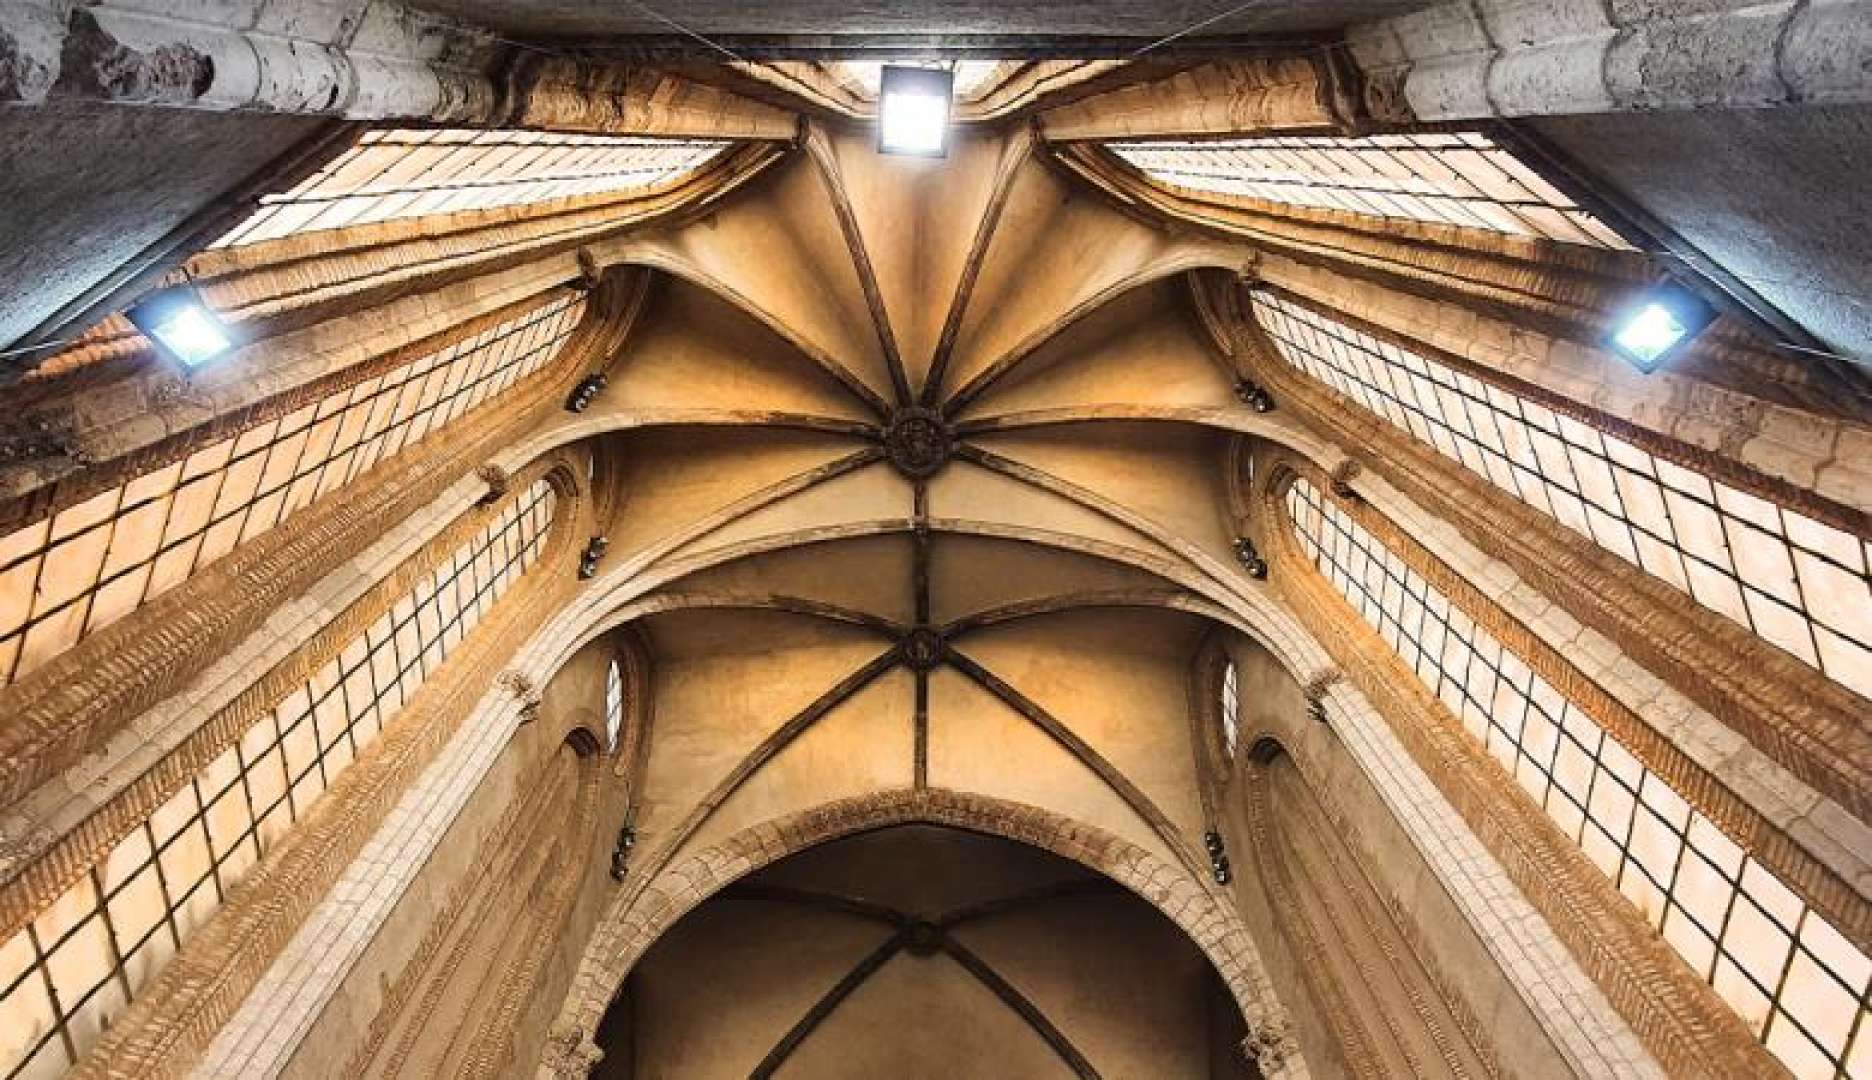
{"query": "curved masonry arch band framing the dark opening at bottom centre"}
{"type": "Point", "coordinates": [637, 920]}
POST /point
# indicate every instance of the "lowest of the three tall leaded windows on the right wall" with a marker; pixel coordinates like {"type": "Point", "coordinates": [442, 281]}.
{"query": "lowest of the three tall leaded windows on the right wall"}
{"type": "Point", "coordinates": [1789, 974]}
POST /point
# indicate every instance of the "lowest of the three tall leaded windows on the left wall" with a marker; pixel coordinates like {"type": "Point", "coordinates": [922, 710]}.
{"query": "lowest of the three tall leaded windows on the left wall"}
{"type": "Point", "coordinates": [76, 969]}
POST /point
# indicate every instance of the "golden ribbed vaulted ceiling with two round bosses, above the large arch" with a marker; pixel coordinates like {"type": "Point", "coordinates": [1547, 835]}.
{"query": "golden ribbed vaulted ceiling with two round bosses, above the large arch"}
{"type": "Point", "coordinates": [929, 458]}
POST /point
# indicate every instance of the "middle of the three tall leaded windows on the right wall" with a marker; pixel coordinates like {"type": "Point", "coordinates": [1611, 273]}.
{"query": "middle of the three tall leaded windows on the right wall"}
{"type": "Point", "coordinates": [1791, 579]}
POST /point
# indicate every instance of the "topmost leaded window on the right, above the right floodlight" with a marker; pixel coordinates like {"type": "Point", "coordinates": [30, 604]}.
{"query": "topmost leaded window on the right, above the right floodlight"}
{"type": "Point", "coordinates": [1446, 179]}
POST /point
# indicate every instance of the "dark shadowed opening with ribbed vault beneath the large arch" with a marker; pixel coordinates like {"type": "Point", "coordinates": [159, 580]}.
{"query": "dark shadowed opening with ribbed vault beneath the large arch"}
{"type": "Point", "coordinates": [914, 952]}
